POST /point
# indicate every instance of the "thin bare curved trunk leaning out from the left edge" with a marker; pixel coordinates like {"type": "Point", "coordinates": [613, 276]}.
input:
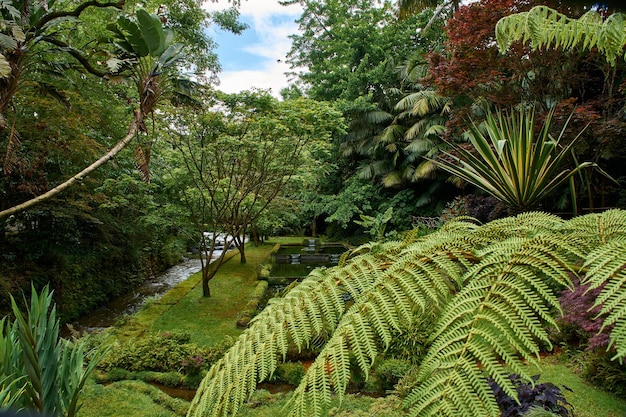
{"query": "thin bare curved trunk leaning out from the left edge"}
{"type": "Point", "coordinates": [132, 131]}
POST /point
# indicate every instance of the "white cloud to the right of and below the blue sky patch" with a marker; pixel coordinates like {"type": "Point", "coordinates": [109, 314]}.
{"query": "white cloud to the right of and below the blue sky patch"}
{"type": "Point", "coordinates": [272, 24]}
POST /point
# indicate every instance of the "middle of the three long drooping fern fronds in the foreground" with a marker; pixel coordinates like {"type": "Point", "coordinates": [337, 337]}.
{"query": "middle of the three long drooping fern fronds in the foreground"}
{"type": "Point", "coordinates": [422, 277]}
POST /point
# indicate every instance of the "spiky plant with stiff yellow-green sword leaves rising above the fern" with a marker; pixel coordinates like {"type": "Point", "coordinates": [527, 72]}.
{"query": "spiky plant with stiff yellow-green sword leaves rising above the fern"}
{"type": "Point", "coordinates": [513, 162]}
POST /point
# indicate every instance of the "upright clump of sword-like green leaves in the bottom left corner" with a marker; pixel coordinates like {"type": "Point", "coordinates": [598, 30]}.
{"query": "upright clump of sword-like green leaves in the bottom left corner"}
{"type": "Point", "coordinates": [49, 373]}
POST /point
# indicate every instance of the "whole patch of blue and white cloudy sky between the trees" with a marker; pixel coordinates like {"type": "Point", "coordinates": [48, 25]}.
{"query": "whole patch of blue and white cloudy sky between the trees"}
{"type": "Point", "coordinates": [256, 57]}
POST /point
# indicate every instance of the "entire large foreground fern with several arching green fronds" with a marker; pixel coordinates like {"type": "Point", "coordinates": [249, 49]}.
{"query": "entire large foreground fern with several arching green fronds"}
{"type": "Point", "coordinates": [493, 288]}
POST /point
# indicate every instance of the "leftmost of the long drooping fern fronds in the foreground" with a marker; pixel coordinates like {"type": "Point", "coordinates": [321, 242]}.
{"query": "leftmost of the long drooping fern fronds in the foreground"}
{"type": "Point", "coordinates": [312, 308]}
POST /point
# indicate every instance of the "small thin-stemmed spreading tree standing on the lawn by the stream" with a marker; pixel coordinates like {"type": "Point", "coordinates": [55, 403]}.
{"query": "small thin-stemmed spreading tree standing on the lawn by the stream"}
{"type": "Point", "coordinates": [238, 163]}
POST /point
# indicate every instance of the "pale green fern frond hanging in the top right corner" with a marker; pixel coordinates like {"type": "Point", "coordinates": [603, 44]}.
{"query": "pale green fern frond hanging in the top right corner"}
{"type": "Point", "coordinates": [545, 27]}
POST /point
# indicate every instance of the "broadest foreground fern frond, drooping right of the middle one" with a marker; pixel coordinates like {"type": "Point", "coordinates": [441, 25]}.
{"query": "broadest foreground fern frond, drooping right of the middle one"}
{"type": "Point", "coordinates": [489, 328]}
